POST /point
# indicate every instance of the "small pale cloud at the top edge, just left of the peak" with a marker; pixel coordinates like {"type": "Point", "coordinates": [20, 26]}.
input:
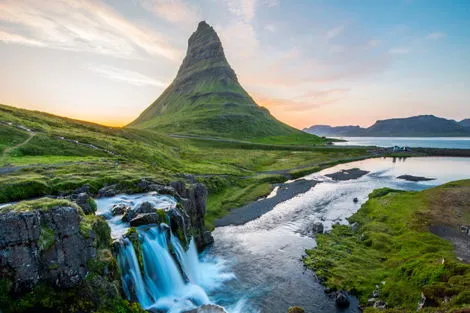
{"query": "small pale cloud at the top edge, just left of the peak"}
{"type": "Point", "coordinates": [175, 11]}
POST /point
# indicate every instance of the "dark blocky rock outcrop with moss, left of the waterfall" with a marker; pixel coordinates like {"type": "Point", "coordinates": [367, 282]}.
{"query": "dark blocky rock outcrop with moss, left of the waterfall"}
{"type": "Point", "coordinates": [44, 245]}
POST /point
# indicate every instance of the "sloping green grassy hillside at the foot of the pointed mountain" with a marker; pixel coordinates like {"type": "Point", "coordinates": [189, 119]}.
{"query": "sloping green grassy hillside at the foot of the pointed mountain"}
{"type": "Point", "coordinates": [45, 154]}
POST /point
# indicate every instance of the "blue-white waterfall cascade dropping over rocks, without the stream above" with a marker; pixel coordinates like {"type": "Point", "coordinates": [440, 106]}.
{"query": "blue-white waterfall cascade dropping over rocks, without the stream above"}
{"type": "Point", "coordinates": [162, 281]}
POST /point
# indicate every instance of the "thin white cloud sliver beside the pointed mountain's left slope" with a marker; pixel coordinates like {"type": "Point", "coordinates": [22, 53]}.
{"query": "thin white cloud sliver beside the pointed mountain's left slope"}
{"type": "Point", "coordinates": [122, 75]}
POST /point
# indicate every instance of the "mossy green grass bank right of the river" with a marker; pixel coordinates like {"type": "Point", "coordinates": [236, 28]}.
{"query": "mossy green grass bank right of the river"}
{"type": "Point", "coordinates": [394, 249]}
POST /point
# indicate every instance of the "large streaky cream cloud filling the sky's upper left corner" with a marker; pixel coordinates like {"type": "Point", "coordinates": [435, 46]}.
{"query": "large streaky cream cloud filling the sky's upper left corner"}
{"type": "Point", "coordinates": [83, 26]}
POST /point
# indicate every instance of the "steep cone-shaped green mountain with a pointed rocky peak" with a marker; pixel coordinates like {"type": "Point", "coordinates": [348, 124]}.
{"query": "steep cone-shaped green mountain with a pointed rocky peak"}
{"type": "Point", "coordinates": [206, 98]}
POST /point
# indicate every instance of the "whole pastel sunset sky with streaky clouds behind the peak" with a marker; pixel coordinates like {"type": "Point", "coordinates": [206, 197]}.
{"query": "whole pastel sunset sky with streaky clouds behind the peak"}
{"type": "Point", "coordinates": [336, 62]}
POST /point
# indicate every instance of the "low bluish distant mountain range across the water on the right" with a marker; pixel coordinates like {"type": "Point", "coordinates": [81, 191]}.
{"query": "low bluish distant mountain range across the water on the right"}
{"type": "Point", "coordinates": [415, 126]}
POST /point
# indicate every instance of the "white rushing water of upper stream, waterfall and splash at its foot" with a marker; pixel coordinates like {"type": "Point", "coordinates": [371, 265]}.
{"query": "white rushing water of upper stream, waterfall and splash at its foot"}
{"type": "Point", "coordinates": [171, 278]}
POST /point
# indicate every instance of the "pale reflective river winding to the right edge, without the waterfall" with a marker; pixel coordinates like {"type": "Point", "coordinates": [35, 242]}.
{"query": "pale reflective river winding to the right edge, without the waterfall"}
{"type": "Point", "coordinates": [266, 252]}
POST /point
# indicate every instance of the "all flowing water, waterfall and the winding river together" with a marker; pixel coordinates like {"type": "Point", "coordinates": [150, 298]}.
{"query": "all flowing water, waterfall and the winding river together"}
{"type": "Point", "coordinates": [257, 267]}
